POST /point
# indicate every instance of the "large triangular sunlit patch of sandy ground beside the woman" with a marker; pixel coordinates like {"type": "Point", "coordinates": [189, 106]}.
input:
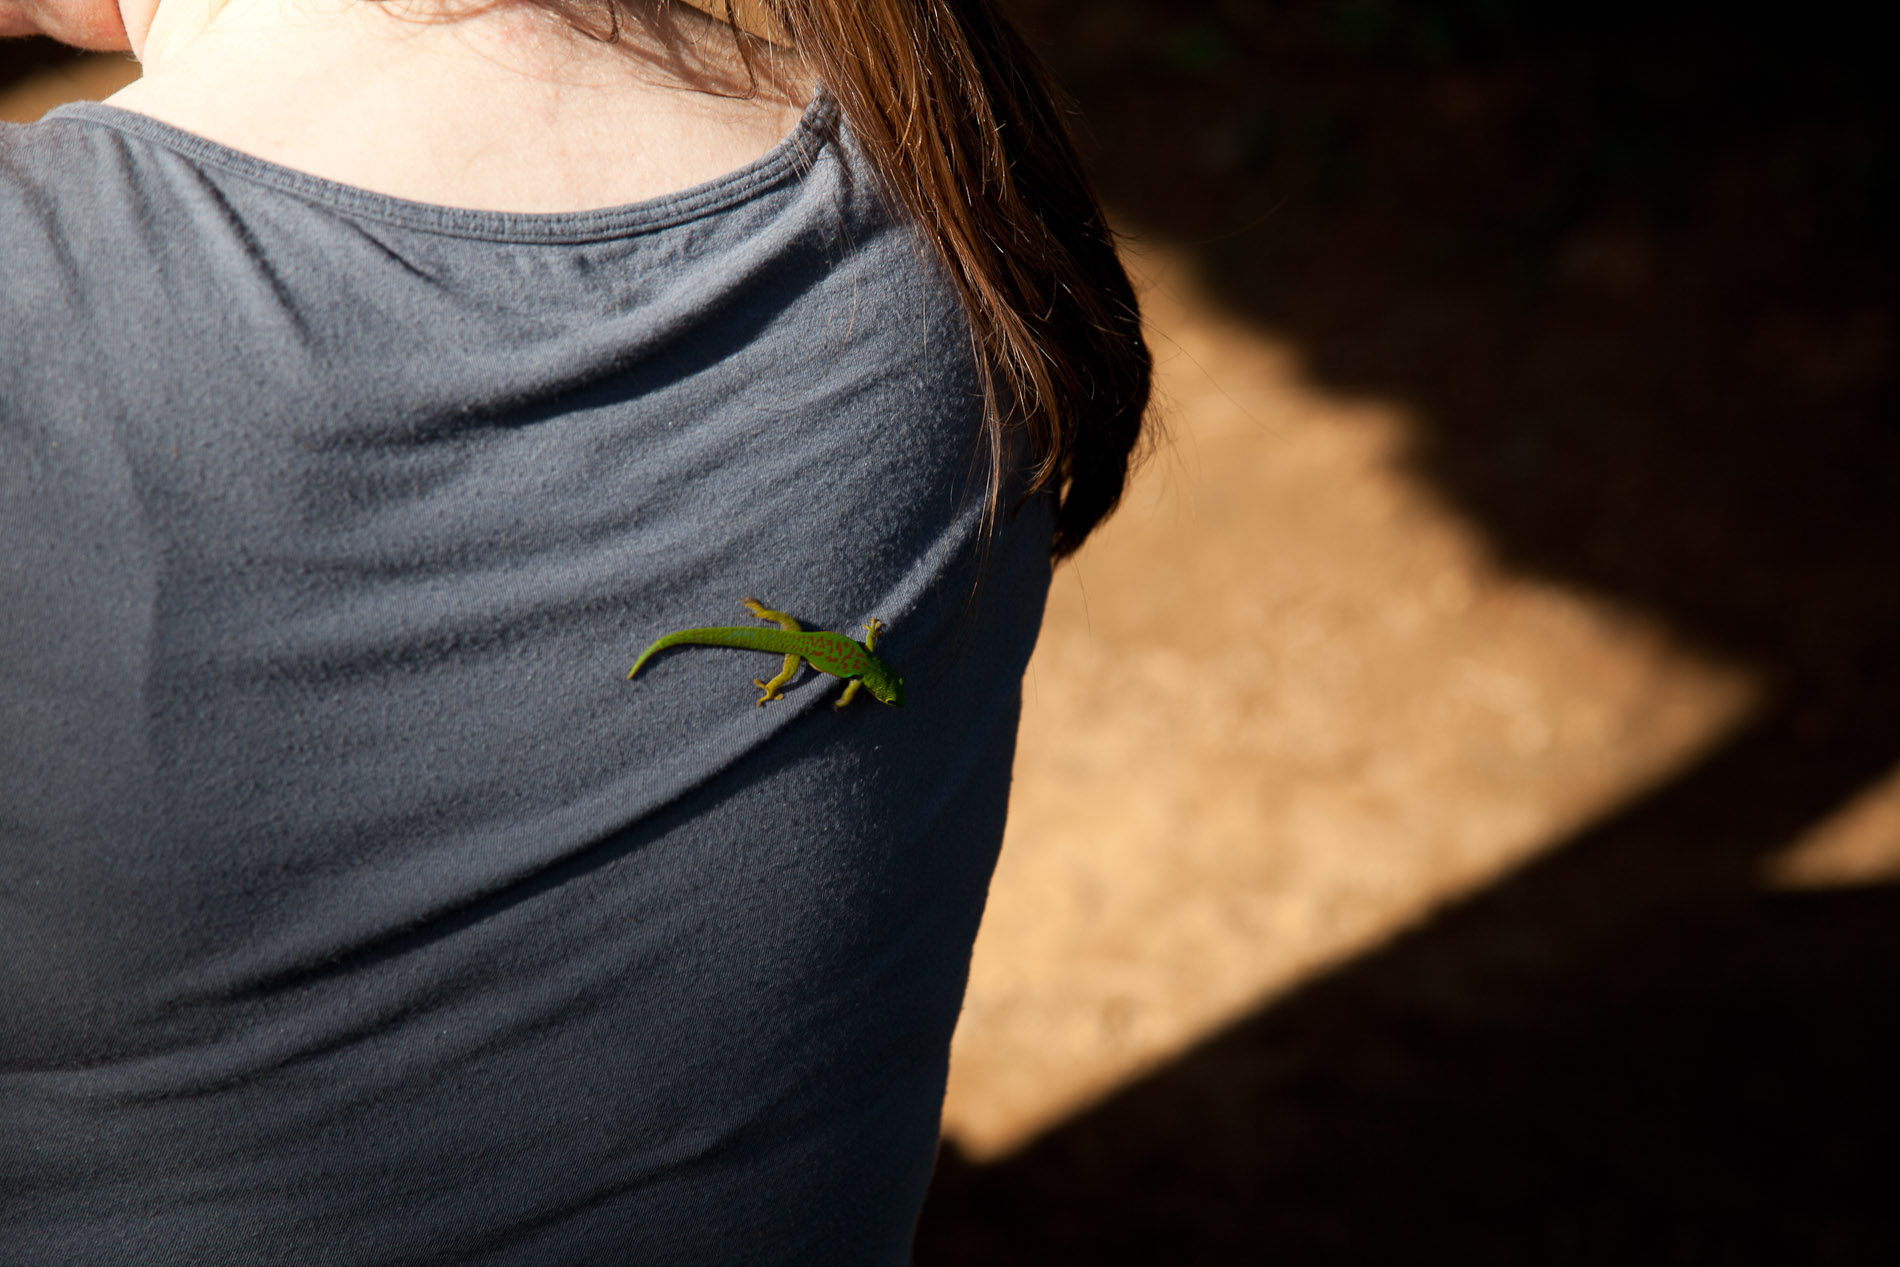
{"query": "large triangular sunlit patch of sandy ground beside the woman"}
{"type": "Point", "coordinates": [1282, 709]}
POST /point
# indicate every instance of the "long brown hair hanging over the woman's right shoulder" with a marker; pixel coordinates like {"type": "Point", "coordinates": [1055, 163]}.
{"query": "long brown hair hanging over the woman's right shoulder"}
{"type": "Point", "coordinates": [964, 128]}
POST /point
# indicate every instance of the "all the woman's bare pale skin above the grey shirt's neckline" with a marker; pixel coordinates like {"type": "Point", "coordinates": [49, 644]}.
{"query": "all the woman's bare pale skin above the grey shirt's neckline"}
{"type": "Point", "coordinates": [446, 102]}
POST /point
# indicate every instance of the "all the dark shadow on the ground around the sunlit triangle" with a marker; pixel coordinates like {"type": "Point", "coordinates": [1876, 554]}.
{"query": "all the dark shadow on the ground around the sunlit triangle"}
{"type": "Point", "coordinates": [1633, 269]}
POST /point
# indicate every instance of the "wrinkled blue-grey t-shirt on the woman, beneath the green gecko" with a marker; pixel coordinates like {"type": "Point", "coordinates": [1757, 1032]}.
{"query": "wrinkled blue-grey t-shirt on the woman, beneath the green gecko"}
{"type": "Point", "coordinates": [354, 907]}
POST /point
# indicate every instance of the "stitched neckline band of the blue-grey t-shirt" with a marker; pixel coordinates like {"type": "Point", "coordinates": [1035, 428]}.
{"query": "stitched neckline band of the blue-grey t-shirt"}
{"type": "Point", "coordinates": [788, 161]}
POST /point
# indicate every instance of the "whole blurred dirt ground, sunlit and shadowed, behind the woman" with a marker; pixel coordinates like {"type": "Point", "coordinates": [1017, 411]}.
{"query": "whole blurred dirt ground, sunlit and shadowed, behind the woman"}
{"type": "Point", "coordinates": [1458, 806]}
